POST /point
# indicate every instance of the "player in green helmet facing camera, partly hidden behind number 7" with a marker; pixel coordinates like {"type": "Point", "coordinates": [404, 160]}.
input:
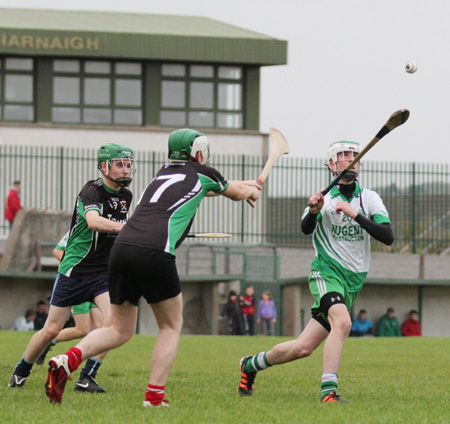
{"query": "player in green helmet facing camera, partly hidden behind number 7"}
{"type": "Point", "coordinates": [99, 215]}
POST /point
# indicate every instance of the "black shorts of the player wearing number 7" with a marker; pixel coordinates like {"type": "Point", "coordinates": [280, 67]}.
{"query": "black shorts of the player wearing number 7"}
{"type": "Point", "coordinates": [138, 271]}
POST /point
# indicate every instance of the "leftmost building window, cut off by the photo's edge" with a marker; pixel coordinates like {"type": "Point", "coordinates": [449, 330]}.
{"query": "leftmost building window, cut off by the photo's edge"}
{"type": "Point", "coordinates": [16, 89]}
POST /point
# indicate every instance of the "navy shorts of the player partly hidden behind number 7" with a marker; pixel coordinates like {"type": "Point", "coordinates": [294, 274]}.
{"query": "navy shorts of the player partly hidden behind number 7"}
{"type": "Point", "coordinates": [69, 291]}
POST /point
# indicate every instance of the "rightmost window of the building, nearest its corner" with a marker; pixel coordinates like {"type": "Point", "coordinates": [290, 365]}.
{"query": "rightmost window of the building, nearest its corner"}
{"type": "Point", "coordinates": [201, 96]}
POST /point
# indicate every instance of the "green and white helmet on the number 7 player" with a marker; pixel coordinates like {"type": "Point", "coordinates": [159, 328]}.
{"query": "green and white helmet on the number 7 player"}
{"type": "Point", "coordinates": [185, 143]}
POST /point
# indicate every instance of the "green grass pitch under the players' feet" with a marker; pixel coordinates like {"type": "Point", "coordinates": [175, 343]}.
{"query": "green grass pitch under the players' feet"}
{"type": "Point", "coordinates": [386, 381]}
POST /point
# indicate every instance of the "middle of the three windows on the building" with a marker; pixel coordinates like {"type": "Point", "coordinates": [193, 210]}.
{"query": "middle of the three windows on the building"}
{"type": "Point", "coordinates": [97, 92]}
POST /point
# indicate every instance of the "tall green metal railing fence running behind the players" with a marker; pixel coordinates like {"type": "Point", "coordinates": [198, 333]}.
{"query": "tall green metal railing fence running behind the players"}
{"type": "Point", "coordinates": [416, 194]}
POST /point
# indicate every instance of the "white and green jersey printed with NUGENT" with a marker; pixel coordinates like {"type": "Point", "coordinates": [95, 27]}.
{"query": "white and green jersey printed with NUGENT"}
{"type": "Point", "coordinates": [342, 246]}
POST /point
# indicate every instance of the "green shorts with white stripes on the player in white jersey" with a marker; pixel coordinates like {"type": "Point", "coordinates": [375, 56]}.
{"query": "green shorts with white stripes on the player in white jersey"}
{"type": "Point", "coordinates": [321, 284]}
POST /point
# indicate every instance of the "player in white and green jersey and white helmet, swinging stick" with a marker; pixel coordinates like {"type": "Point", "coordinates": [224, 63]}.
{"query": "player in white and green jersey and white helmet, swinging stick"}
{"type": "Point", "coordinates": [342, 223]}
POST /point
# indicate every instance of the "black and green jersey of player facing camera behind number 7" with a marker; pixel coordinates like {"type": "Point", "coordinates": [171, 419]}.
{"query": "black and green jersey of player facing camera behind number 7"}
{"type": "Point", "coordinates": [87, 251]}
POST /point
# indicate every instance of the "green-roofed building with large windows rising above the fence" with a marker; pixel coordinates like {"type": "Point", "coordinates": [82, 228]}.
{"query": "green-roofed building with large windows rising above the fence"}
{"type": "Point", "coordinates": [83, 78]}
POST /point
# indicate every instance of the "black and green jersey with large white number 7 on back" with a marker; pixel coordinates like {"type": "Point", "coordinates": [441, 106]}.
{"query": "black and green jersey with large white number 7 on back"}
{"type": "Point", "coordinates": [168, 205]}
